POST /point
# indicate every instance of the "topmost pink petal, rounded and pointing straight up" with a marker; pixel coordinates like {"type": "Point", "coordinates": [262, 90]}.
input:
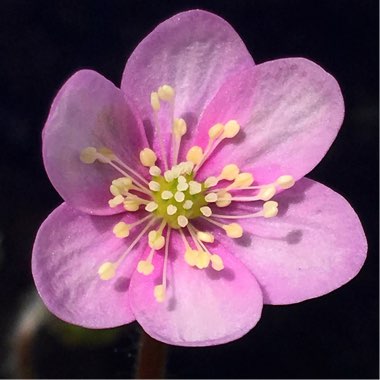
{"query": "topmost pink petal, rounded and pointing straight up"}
{"type": "Point", "coordinates": [194, 52]}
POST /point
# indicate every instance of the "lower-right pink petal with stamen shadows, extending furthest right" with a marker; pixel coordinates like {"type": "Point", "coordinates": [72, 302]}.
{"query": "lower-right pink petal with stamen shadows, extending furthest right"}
{"type": "Point", "coordinates": [315, 245]}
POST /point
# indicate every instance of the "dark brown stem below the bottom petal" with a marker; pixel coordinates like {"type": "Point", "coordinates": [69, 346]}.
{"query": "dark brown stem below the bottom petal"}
{"type": "Point", "coordinates": [151, 358]}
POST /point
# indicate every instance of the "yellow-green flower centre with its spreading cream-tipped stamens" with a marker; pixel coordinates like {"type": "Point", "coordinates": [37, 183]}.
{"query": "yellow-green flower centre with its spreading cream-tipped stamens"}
{"type": "Point", "coordinates": [174, 199]}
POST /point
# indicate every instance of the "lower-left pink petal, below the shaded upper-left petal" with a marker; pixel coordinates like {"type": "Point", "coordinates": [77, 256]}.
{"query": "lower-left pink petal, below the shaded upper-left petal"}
{"type": "Point", "coordinates": [68, 251]}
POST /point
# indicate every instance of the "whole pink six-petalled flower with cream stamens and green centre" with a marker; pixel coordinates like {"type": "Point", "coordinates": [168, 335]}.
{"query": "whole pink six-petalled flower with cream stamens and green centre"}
{"type": "Point", "coordinates": [186, 206]}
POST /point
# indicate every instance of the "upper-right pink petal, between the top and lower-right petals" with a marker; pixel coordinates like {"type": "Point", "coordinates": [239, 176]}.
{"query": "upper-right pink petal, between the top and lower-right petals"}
{"type": "Point", "coordinates": [290, 111]}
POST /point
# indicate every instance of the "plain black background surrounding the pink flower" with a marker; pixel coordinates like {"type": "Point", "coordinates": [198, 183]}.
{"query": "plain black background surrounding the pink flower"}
{"type": "Point", "coordinates": [43, 42]}
